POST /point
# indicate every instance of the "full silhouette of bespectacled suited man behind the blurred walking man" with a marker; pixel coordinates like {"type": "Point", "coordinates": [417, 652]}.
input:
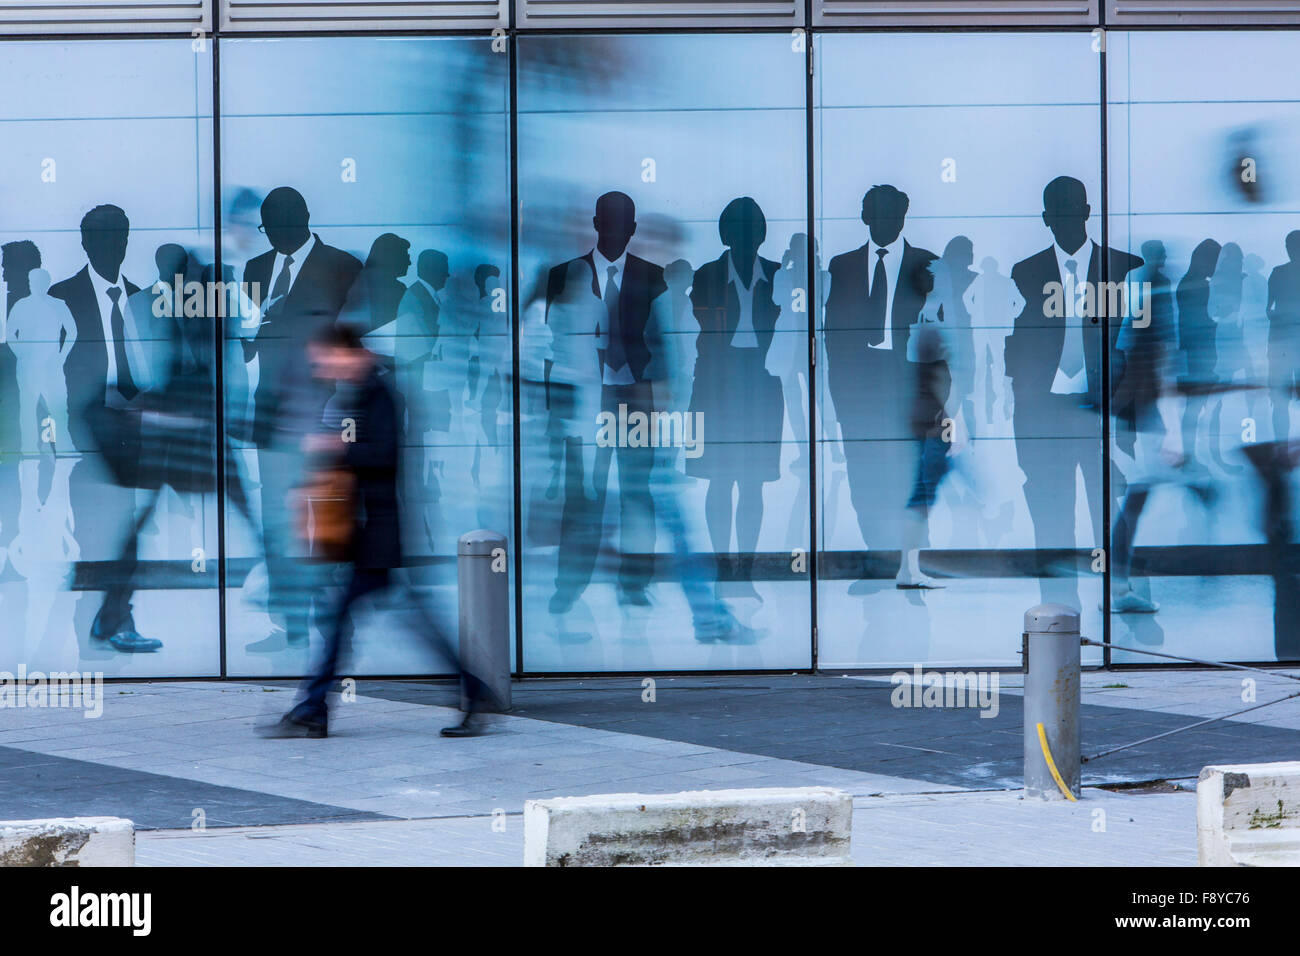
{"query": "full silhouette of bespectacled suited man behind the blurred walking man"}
{"type": "Point", "coordinates": [300, 285]}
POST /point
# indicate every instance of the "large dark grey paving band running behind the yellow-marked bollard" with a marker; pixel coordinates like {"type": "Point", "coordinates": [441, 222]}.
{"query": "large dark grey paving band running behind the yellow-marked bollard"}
{"type": "Point", "coordinates": [852, 725]}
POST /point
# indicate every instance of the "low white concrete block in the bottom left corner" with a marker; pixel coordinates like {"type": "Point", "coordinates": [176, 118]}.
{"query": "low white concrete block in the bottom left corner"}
{"type": "Point", "coordinates": [68, 842]}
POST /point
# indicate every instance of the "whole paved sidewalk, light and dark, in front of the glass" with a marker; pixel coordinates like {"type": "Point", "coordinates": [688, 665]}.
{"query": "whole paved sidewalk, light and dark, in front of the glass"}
{"type": "Point", "coordinates": [931, 788]}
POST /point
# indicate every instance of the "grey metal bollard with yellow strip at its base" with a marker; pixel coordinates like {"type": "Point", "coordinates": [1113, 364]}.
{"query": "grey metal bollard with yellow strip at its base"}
{"type": "Point", "coordinates": [1051, 664]}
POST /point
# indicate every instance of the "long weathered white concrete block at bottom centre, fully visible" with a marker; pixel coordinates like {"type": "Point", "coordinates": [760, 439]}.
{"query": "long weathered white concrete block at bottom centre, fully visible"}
{"type": "Point", "coordinates": [807, 827]}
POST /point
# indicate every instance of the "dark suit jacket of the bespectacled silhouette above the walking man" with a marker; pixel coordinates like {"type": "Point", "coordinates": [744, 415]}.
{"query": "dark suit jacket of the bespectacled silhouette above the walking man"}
{"type": "Point", "coordinates": [319, 293]}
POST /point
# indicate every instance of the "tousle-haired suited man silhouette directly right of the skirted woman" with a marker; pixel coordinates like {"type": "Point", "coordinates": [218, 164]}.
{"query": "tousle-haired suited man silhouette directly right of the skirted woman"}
{"type": "Point", "coordinates": [877, 293]}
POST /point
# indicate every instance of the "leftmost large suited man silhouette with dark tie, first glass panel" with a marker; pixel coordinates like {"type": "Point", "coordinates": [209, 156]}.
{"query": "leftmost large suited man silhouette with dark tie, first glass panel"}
{"type": "Point", "coordinates": [105, 375]}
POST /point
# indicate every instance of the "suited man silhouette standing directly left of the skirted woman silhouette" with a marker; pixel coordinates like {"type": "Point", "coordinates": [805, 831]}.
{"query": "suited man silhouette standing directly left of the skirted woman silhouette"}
{"type": "Point", "coordinates": [610, 293]}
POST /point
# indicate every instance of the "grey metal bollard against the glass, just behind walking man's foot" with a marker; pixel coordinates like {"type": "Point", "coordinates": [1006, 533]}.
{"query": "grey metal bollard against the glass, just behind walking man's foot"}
{"type": "Point", "coordinates": [484, 595]}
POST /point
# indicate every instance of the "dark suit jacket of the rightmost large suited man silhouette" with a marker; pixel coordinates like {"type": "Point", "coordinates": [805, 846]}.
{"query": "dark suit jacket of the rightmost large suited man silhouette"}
{"type": "Point", "coordinates": [1034, 347]}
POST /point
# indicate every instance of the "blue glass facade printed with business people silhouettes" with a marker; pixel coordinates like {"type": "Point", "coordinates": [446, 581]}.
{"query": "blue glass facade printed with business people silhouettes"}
{"type": "Point", "coordinates": [762, 353]}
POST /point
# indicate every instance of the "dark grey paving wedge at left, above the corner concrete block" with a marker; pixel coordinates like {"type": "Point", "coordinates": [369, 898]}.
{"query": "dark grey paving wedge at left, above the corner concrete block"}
{"type": "Point", "coordinates": [37, 786]}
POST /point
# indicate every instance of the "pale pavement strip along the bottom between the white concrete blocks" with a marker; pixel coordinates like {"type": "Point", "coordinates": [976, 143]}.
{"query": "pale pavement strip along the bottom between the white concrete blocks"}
{"type": "Point", "coordinates": [976, 829]}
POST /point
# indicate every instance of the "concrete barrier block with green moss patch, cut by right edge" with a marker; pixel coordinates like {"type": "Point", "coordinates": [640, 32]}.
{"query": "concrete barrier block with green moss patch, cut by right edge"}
{"type": "Point", "coordinates": [1249, 815]}
